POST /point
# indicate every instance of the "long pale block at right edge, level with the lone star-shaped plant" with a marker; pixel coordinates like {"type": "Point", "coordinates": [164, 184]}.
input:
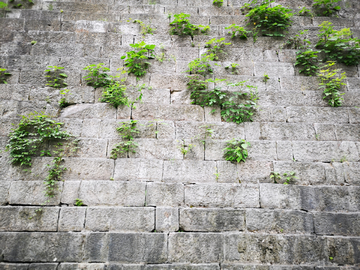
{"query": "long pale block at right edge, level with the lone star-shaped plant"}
{"type": "Point", "coordinates": [325, 151]}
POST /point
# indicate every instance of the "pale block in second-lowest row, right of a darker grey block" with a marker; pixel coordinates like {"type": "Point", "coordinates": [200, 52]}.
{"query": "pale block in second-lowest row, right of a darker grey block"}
{"type": "Point", "coordinates": [195, 247]}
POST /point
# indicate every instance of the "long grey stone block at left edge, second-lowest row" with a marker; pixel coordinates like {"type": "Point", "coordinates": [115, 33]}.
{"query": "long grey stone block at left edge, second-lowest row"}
{"type": "Point", "coordinates": [42, 247]}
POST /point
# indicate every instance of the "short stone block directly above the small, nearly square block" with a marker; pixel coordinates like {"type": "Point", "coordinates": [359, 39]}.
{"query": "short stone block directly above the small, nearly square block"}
{"type": "Point", "coordinates": [165, 194]}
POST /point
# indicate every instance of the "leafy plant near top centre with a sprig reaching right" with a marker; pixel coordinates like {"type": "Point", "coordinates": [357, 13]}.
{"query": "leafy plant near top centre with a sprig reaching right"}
{"type": "Point", "coordinates": [181, 26]}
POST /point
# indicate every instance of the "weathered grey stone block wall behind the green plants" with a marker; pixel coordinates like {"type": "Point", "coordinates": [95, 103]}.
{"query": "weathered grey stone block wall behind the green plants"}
{"type": "Point", "coordinates": [159, 209]}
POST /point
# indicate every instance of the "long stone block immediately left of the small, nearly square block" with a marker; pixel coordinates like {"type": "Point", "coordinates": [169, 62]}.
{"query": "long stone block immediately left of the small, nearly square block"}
{"type": "Point", "coordinates": [124, 219]}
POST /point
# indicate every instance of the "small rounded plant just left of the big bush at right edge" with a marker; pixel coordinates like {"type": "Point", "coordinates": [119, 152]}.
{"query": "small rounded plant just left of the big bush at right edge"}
{"type": "Point", "coordinates": [307, 61]}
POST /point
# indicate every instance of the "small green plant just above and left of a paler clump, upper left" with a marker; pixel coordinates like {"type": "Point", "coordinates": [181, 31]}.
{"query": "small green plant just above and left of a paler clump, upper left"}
{"type": "Point", "coordinates": [97, 76]}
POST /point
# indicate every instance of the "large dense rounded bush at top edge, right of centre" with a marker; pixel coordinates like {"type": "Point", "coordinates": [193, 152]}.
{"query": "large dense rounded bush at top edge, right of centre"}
{"type": "Point", "coordinates": [271, 21]}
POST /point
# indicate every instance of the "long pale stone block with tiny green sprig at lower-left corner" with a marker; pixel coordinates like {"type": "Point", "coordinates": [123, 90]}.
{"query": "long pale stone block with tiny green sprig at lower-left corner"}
{"type": "Point", "coordinates": [95, 193]}
